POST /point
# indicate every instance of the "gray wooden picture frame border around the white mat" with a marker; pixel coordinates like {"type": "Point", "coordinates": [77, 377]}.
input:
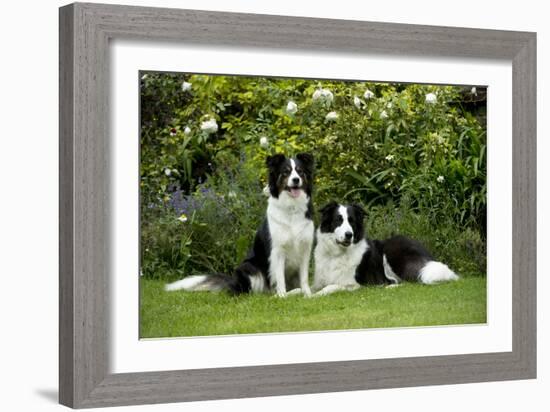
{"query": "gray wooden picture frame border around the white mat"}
{"type": "Point", "coordinates": [85, 31]}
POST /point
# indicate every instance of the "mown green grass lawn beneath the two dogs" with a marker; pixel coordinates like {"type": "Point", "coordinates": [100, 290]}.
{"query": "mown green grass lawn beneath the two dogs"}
{"type": "Point", "coordinates": [171, 314]}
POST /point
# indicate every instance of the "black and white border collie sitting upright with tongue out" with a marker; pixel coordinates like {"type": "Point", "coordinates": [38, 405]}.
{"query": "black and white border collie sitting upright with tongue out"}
{"type": "Point", "coordinates": [279, 257]}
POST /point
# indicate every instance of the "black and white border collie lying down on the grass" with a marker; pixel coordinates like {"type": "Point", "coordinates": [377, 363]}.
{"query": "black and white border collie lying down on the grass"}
{"type": "Point", "coordinates": [346, 259]}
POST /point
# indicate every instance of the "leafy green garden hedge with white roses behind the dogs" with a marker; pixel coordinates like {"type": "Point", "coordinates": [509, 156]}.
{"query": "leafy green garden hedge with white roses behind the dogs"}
{"type": "Point", "coordinates": [413, 155]}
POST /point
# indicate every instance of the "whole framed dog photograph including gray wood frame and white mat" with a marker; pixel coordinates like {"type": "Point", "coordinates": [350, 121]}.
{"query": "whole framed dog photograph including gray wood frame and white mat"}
{"type": "Point", "coordinates": [257, 205]}
